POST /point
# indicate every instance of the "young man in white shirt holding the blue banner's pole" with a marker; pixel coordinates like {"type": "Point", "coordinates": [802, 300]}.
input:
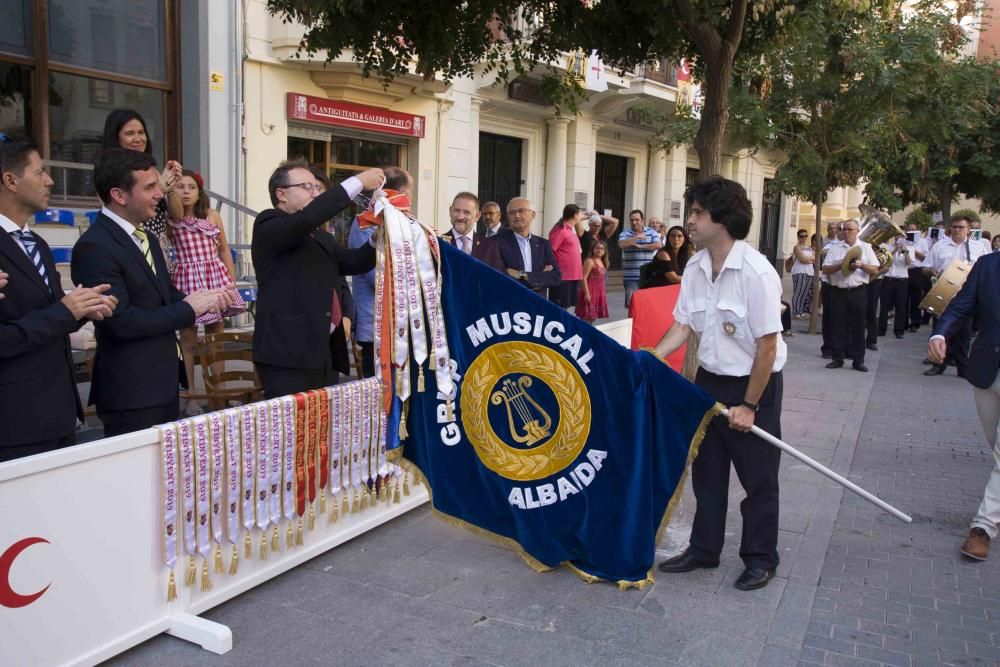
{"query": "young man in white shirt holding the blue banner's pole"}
{"type": "Point", "coordinates": [731, 296]}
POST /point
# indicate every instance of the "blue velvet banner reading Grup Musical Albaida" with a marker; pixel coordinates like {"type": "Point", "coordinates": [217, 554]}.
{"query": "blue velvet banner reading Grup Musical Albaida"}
{"type": "Point", "coordinates": [559, 439]}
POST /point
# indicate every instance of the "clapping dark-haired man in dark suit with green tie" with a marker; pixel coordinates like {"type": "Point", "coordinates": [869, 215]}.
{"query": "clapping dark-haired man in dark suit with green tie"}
{"type": "Point", "coordinates": [138, 364]}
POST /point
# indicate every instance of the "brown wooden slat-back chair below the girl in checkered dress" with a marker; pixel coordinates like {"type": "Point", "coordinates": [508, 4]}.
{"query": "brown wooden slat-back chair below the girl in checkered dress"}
{"type": "Point", "coordinates": [227, 370]}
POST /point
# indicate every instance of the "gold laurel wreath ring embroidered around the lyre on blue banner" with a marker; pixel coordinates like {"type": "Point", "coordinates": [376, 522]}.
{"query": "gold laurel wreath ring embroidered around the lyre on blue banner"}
{"type": "Point", "coordinates": [574, 424]}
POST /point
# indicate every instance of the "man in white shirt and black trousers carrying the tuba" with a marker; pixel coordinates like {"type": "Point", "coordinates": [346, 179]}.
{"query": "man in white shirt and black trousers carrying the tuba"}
{"type": "Point", "coordinates": [849, 296]}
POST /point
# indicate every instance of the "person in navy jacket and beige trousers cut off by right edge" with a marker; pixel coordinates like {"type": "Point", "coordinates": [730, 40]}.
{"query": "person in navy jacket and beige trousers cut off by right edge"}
{"type": "Point", "coordinates": [979, 298]}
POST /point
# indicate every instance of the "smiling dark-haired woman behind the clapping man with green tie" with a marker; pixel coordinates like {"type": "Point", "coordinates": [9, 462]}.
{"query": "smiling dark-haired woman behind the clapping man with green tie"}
{"type": "Point", "coordinates": [125, 128]}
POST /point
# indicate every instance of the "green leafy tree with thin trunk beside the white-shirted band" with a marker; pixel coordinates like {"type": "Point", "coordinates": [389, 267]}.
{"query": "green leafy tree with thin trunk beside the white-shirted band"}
{"type": "Point", "coordinates": [827, 90]}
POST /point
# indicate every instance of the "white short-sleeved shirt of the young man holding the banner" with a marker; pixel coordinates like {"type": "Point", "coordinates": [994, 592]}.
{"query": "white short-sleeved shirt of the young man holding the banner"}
{"type": "Point", "coordinates": [732, 312]}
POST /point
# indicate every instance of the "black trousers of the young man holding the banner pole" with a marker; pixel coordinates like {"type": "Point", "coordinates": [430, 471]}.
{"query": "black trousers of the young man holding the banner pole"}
{"type": "Point", "coordinates": [756, 463]}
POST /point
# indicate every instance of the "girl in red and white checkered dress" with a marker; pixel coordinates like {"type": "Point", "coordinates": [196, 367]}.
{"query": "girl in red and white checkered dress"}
{"type": "Point", "coordinates": [203, 260]}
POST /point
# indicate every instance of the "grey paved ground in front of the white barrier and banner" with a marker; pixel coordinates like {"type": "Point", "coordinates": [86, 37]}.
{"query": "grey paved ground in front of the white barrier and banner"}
{"type": "Point", "coordinates": [854, 583]}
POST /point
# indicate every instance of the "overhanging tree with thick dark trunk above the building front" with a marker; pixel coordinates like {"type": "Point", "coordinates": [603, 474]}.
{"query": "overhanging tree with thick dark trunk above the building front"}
{"type": "Point", "coordinates": [449, 39]}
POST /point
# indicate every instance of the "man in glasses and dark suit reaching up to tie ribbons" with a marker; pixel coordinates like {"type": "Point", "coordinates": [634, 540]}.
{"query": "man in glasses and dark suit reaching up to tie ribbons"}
{"type": "Point", "coordinates": [299, 268]}
